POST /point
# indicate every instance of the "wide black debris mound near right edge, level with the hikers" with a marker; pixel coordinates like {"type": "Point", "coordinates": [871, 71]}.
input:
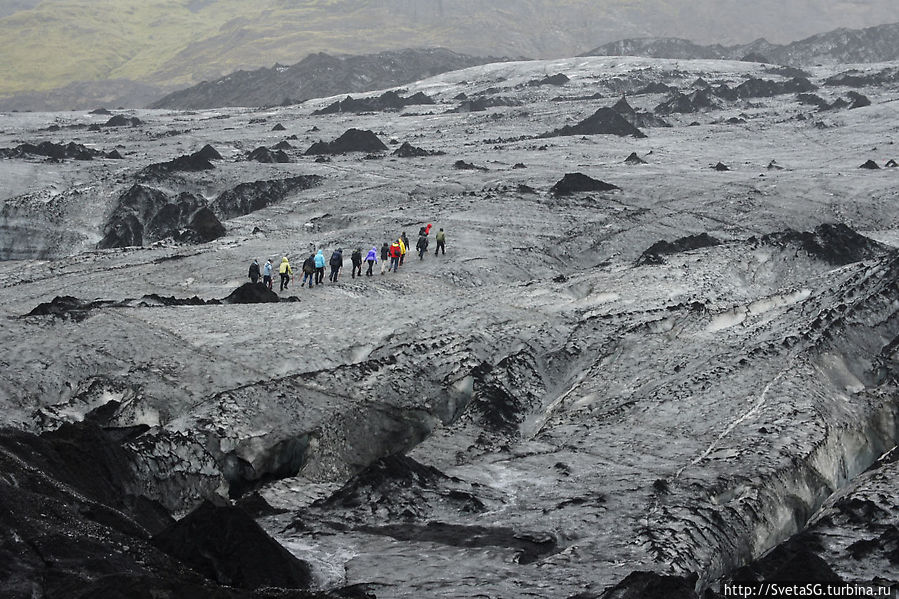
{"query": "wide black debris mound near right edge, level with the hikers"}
{"type": "Point", "coordinates": [835, 244]}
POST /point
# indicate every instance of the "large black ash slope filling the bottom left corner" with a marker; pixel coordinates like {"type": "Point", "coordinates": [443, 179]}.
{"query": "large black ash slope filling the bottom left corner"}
{"type": "Point", "coordinates": [75, 525]}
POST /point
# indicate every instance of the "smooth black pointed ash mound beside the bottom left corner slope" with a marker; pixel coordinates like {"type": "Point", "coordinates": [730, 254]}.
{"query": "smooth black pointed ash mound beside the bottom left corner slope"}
{"type": "Point", "coordinates": [227, 546]}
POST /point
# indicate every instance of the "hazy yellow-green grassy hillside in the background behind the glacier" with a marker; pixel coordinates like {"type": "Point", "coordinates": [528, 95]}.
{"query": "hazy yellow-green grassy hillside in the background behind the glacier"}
{"type": "Point", "coordinates": [45, 45]}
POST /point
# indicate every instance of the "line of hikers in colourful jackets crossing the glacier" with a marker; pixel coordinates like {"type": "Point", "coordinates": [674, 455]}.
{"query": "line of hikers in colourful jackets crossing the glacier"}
{"type": "Point", "coordinates": [391, 257]}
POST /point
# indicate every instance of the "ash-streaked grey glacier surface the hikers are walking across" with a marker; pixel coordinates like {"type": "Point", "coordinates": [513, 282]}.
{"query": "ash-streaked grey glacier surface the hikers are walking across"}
{"type": "Point", "coordinates": [622, 375]}
